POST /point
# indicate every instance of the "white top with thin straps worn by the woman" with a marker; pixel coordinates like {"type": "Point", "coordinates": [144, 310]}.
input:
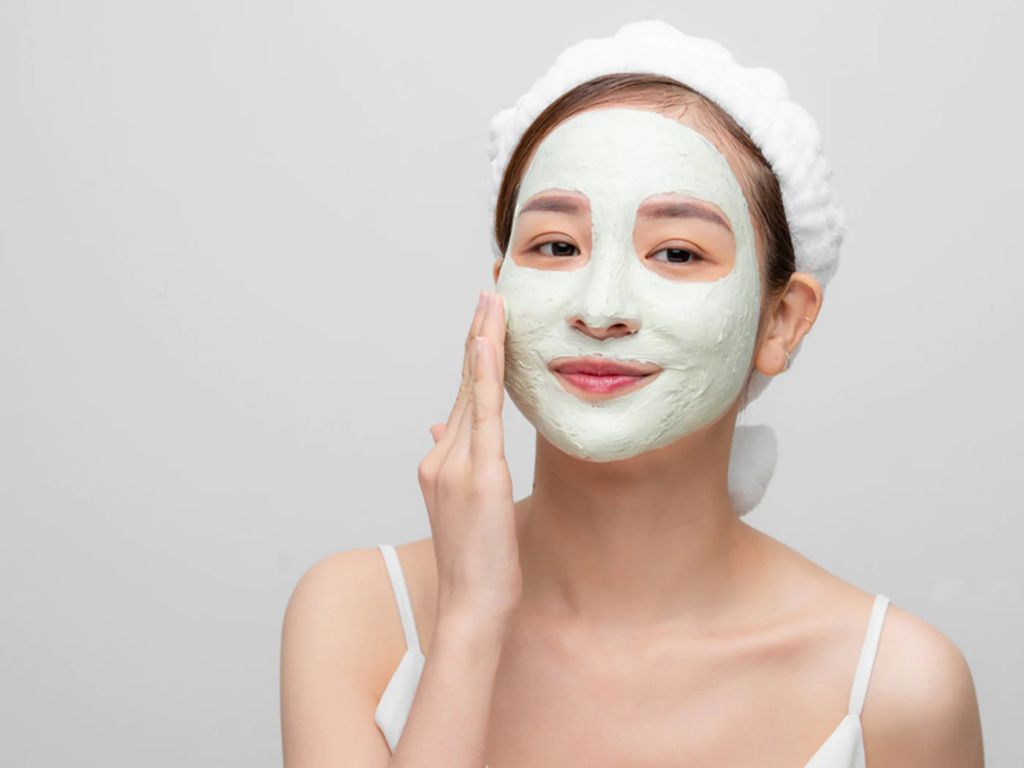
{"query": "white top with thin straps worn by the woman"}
{"type": "Point", "coordinates": [843, 749]}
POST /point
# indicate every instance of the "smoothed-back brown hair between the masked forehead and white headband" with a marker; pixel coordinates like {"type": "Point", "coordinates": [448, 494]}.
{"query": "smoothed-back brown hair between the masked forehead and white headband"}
{"type": "Point", "coordinates": [758, 182]}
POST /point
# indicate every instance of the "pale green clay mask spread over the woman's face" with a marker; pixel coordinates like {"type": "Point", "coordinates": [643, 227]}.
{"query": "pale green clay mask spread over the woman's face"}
{"type": "Point", "coordinates": [700, 332]}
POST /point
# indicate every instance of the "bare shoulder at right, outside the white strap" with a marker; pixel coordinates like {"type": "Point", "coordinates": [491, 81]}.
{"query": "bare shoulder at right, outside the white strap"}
{"type": "Point", "coordinates": [922, 707]}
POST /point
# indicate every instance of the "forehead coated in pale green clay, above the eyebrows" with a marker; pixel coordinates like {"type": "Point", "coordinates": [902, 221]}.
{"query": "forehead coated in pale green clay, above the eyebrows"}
{"type": "Point", "coordinates": [620, 156]}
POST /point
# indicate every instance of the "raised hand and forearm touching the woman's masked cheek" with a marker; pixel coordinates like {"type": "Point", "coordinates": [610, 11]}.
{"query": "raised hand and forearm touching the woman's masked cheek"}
{"type": "Point", "coordinates": [468, 491]}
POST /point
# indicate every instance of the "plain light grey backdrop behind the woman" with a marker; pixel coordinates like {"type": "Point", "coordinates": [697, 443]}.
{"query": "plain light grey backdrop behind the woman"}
{"type": "Point", "coordinates": [241, 243]}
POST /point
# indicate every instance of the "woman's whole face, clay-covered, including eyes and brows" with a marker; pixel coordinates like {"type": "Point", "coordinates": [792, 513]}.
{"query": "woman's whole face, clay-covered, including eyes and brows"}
{"type": "Point", "coordinates": [616, 255]}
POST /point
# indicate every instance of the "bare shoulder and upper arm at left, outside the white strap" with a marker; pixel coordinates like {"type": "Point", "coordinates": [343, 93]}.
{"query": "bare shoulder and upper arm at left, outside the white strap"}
{"type": "Point", "coordinates": [342, 638]}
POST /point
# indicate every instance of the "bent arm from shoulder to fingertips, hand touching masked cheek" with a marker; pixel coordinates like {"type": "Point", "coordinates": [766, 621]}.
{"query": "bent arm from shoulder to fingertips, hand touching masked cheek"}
{"type": "Point", "coordinates": [327, 703]}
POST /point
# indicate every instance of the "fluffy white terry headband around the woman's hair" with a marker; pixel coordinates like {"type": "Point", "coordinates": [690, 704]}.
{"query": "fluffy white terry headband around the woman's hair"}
{"type": "Point", "coordinates": [758, 99]}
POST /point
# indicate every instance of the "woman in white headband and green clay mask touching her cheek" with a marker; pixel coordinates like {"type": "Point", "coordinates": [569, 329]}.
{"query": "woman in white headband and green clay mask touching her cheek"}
{"type": "Point", "coordinates": [623, 614]}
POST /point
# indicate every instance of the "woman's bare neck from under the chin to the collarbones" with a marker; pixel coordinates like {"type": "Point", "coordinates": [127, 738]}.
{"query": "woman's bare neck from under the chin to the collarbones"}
{"type": "Point", "coordinates": [643, 541]}
